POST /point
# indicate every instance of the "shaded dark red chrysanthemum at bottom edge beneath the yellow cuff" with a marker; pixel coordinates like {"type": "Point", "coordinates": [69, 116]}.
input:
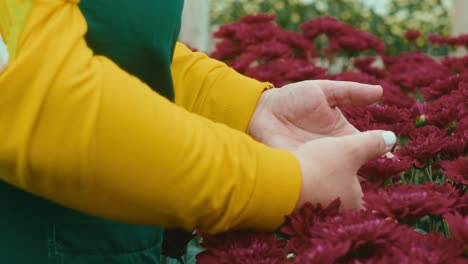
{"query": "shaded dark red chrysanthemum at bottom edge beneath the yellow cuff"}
{"type": "Point", "coordinates": [242, 247]}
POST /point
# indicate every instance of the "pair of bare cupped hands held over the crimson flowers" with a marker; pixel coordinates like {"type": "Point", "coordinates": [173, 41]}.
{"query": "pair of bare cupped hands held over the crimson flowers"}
{"type": "Point", "coordinates": [304, 118]}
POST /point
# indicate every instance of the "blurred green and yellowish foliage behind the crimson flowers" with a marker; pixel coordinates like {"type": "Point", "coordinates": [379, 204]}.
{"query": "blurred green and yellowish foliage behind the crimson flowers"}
{"type": "Point", "coordinates": [397, 16]}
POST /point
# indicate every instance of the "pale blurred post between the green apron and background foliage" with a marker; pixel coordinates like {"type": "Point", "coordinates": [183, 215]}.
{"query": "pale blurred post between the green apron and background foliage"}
{"type": "Point", "coordinates": [195, 29]}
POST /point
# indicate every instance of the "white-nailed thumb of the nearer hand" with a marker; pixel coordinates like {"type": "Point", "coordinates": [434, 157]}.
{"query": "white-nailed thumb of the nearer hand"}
{"type": "Point", "coordinates": [362, 147]}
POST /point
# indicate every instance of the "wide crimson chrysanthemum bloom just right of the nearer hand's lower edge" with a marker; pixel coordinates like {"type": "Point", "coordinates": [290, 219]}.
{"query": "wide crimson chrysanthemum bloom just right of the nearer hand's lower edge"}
{"type": "Point", "coordinates": [411, 202]}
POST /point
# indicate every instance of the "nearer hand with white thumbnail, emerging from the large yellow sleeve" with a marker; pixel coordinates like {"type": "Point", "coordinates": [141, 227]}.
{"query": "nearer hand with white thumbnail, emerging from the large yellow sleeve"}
{"type": "Point", "coordinates": [329, 166]}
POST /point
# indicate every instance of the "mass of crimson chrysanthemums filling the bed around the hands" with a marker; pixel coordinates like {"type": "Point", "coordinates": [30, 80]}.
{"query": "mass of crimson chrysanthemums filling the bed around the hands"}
{"type": "Point", "coordinates": [416, 201]}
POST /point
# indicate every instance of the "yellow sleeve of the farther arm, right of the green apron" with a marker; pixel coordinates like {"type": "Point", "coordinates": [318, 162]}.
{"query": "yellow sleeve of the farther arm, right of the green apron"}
{"type": "Point", "coordinates": [212, 89]}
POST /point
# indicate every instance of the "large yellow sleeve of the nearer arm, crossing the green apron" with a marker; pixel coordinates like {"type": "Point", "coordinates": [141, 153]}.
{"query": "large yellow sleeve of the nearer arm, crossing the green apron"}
{"type": "Point", "coordinates": [78, 130]}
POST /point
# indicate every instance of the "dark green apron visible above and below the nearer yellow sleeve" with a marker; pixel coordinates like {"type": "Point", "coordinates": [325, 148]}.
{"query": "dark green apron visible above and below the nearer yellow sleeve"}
{"type": "Point", "coordinates": [139, 35]}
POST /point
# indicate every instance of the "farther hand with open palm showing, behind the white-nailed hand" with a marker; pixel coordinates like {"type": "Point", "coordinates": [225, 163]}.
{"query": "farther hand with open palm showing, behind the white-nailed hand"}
{"type": "Point", "coordinates": [290, 116]}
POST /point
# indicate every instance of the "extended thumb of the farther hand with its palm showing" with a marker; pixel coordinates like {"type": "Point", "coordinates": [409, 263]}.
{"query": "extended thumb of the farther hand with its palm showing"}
{"type": "Point", "coordinates": [340, 93]}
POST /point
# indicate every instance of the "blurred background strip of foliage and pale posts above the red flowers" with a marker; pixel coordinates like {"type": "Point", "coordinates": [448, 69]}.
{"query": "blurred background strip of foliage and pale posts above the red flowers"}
{"type": "Point", "coordinates": [386, 19]}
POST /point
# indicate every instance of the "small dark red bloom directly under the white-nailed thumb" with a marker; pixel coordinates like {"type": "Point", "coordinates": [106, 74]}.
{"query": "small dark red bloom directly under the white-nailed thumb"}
{"type": "Point", "coordinates": [384, 168]}
